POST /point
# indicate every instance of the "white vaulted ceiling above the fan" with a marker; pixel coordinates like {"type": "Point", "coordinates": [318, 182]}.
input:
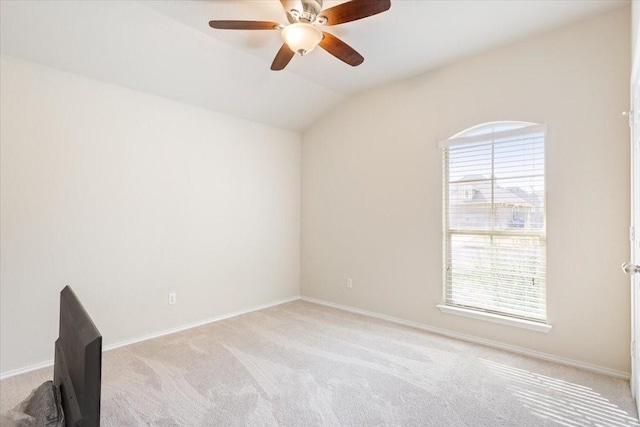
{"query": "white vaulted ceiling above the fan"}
{"type": "Point", "coordinates": [167, 48]}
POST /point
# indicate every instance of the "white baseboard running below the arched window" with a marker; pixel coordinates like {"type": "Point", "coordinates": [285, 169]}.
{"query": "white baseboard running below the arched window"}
{"type": "Point", "coordinates": [495, 344]}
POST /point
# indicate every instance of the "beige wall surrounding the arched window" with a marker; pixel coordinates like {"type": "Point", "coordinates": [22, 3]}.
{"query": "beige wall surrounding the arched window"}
{"type": "Point", "coordinates": [371, 187]}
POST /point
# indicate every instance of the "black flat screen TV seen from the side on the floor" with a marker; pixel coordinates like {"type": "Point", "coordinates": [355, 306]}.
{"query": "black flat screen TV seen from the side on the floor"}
{"type": "Point", "coordinates": [78, 363]}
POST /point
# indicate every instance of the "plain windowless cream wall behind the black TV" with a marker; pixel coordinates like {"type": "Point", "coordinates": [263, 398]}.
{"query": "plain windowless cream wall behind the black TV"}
{"type": "Point", "coordinates": [126, 197]}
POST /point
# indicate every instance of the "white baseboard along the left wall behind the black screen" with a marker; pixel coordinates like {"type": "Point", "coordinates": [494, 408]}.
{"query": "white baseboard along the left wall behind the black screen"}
{"type": "Point", "coordinates": [109, 347]}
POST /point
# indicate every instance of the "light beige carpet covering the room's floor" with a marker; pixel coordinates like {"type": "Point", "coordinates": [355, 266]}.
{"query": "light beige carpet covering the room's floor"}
{"type": "Point", "coordinates": [302, 364]}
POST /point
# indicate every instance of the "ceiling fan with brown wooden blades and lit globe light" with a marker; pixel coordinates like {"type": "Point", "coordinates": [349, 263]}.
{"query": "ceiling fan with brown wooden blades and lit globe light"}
{"type": "Point", "coordinates": [303, 32]}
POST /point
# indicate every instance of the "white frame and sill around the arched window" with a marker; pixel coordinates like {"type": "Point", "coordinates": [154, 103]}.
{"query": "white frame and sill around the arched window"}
{"type": "Point", "coordinates": [475, 135]}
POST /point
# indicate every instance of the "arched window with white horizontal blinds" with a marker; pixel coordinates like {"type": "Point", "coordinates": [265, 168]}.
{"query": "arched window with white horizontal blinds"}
{"type": "Point", "coordinates": [494, 248]}
